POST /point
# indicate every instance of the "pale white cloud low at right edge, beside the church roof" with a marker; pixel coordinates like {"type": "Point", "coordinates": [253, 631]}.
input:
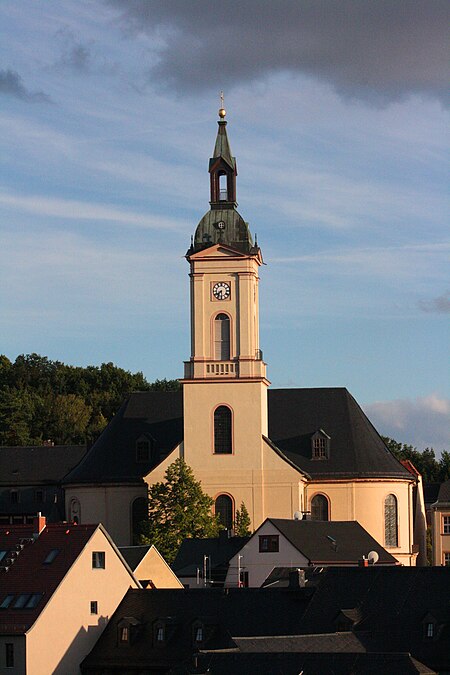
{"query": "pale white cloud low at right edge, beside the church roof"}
{"type": "Point", "coordinates": [422, 422]}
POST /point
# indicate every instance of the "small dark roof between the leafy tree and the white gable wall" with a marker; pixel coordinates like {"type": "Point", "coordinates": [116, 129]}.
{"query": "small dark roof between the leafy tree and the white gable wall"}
{"type": "Point", "coordinates": [219, 549]}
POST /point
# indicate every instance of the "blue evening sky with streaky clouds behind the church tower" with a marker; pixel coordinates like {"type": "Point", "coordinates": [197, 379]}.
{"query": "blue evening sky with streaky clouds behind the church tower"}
{"type": "Point", "coordinates": [338, 117]}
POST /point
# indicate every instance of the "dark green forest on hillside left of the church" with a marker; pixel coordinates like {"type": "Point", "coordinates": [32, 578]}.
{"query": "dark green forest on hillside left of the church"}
{"type": "Point", "coordinates": [44, 401]}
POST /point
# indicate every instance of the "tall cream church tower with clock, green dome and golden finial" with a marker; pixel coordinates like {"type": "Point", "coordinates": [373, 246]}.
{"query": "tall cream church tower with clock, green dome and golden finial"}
{"type": "Point", "coordinates": [225, 384]}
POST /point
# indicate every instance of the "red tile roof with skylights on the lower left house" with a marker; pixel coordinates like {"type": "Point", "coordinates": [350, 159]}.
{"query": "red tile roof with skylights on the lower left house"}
{"type": "Point", "coordinates": [29, 574]}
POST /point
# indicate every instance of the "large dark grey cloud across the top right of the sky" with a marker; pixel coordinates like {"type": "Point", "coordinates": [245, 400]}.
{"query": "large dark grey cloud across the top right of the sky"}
{"type": "Point", "coordinates": [378, 50]}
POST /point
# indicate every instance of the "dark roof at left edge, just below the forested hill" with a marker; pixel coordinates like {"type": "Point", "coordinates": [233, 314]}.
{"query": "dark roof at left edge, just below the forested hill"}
{"type": "Point", "coordinates": [38, 465]}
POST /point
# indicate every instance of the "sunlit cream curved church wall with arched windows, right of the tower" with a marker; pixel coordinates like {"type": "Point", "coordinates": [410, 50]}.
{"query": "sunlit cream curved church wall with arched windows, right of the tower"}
{"type": "Point", "coordinates": [363, 501]}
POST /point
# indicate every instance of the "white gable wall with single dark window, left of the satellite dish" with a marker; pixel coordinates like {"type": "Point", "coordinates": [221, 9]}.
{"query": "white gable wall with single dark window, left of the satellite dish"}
{"type": "Point", "coordinates": [260, 565]}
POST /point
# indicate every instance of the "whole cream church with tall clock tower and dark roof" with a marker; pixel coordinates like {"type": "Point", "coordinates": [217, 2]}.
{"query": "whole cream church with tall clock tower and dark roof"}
{"type": "Point", "coordinates": [284, 453]}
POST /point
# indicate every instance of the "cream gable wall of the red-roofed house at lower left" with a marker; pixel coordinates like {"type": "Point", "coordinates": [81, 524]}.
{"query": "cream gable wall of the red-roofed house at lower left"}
{"type": "Point", "coordinates": [56, 651]}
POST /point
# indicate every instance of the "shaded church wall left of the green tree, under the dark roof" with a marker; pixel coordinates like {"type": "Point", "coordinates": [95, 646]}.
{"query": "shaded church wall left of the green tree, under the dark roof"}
{"type": "Point", "coordinates": [110, 505]}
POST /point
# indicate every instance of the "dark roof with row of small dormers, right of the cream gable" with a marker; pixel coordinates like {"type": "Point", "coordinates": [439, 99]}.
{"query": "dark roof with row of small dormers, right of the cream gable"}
{"type": "Point", "coordinates": [244, 612]}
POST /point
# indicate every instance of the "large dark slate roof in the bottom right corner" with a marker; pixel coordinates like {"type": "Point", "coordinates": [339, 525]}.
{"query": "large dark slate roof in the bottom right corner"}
{"type": "Point", "coordinates": [391, 604]}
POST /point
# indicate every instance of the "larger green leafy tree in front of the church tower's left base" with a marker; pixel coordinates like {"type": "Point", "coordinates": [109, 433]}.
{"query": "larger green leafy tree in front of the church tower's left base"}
{"type": "Point", "coordinates": [177, 509]}
